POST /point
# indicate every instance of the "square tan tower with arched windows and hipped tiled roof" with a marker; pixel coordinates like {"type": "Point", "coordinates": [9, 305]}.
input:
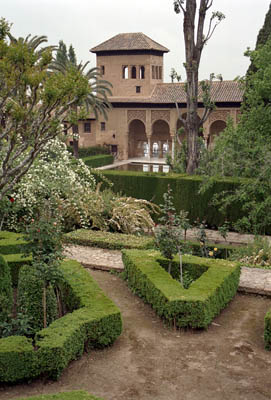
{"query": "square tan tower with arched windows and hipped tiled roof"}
{"type": "Point", "coordinates": [132, 62]}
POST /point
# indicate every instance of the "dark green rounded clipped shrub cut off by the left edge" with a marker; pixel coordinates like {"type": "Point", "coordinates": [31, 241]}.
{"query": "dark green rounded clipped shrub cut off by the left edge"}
{"type": "Point", "coordinates": [6, 297]}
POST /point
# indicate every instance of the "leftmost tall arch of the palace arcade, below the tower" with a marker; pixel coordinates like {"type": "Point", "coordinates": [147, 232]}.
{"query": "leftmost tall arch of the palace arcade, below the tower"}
{"type": "Point", "coordinates": [137, 139]}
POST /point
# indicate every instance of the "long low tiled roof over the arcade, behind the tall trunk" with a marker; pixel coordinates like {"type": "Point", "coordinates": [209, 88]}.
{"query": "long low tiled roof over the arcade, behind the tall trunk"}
{"type": "Point", "coordinates": [225, 91]}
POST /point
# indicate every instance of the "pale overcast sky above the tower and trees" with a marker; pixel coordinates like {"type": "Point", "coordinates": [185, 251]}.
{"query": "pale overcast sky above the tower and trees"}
{"type": "Point", "coordinates": [87, 23]}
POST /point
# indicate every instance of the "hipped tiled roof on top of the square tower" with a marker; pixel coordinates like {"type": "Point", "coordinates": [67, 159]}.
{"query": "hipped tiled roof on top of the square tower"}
{"type": "Point", "coordinates": [129, 41]}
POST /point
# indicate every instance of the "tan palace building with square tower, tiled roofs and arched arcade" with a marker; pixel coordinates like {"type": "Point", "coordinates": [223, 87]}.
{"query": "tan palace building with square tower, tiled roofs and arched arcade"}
{"type": "Point", "coordinates": [144, 117]}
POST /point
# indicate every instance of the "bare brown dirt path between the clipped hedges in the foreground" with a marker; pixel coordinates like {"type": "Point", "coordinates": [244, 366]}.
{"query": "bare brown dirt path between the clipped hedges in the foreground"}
{"type": "Point", "coordinates": [151, 362]}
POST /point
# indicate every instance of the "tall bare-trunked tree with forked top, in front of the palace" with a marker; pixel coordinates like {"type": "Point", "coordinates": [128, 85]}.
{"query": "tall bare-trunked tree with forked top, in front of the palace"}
{"type": "Point", "coordinates": [195, 40]}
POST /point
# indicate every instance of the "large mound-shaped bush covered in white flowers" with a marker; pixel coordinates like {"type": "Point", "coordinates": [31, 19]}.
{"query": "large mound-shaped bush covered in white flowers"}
{"type": "Point", "coordinates": [65, 184]}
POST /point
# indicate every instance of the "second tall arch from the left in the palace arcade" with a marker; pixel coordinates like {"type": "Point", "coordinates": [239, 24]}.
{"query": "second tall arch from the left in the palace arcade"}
{"type": "Point", "coordinates": [160, 141]}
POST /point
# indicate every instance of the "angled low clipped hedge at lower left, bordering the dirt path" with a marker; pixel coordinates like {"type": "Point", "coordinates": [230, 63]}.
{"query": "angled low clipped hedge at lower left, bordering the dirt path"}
{"type": "Point", "coordinates": [94, 321]}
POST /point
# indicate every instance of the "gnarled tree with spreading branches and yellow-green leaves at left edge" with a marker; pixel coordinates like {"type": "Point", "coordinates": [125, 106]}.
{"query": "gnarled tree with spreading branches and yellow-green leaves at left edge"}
{"type": "Point", "coordinates": [33, 103]}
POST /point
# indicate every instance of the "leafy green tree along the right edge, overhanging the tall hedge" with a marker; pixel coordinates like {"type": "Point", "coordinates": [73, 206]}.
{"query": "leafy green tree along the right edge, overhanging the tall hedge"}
{"type": "Point", "coordinates": [245, 150]}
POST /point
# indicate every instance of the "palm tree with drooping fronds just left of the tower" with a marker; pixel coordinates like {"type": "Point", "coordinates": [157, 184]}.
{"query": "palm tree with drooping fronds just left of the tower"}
{"type": "Point", "coordinates": [97, 101]}
